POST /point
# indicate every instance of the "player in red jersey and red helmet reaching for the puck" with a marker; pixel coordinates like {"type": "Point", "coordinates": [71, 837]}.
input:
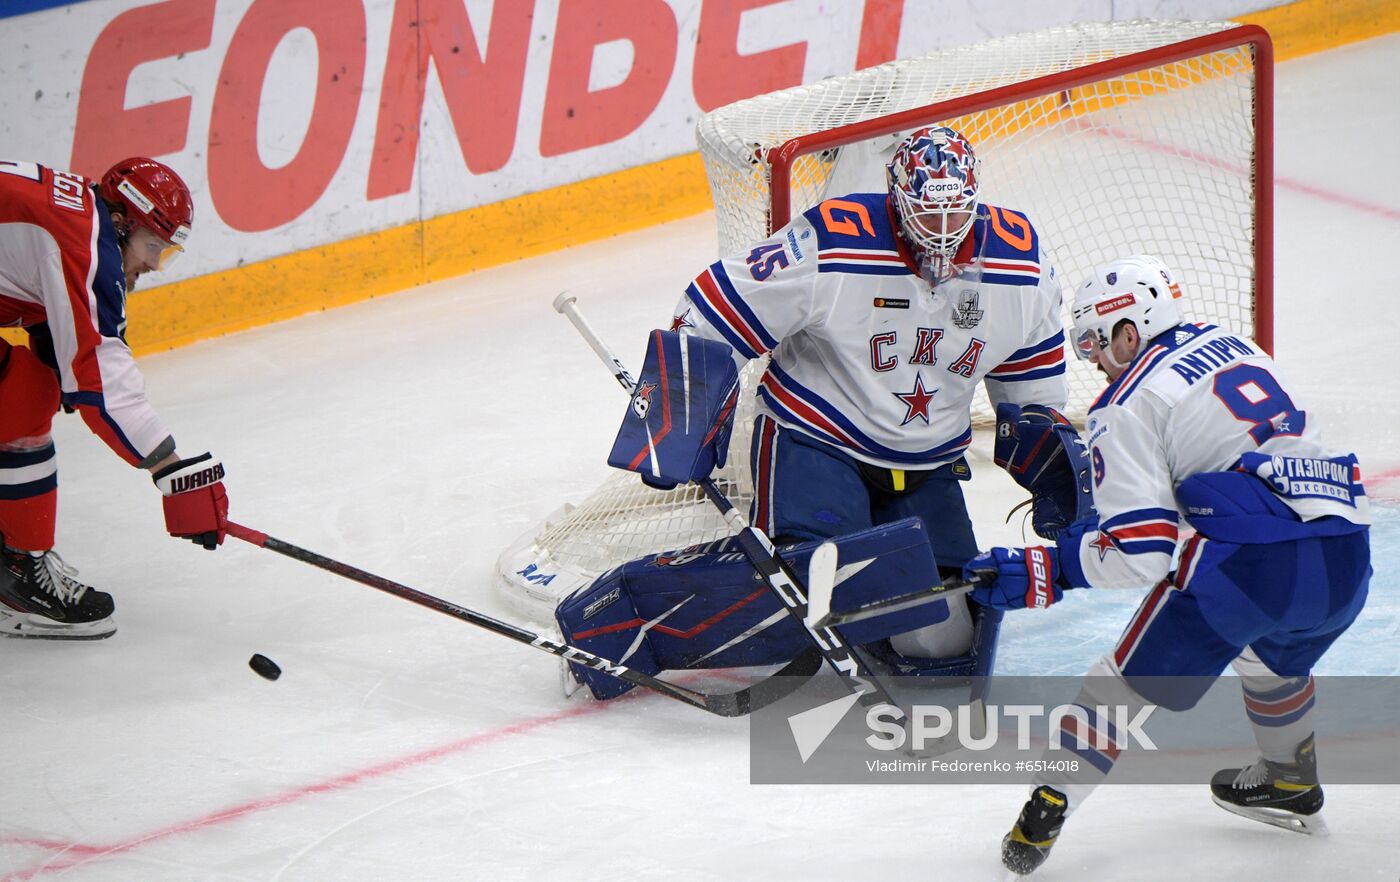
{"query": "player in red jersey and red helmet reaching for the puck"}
{"type": "Point", "coordinates": [71, 250]}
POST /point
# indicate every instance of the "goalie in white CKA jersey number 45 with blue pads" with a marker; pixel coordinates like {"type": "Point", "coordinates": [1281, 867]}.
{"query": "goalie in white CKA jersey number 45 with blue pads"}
{"type": "Point", "coordinates": [884, 313]}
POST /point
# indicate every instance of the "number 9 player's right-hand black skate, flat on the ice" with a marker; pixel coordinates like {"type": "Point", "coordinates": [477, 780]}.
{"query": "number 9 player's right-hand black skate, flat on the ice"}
{"type": "Point", "coordinates": [1282, 794]}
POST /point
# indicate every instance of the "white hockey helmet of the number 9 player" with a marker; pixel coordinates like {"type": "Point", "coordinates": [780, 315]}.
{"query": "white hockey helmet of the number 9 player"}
{"type": "Point", "coordinates": [1139, 289]}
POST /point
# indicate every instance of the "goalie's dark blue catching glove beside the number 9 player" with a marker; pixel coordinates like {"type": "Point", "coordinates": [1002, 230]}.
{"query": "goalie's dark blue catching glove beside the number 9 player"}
{"type": "Point", "coordinates": [1044, 453]}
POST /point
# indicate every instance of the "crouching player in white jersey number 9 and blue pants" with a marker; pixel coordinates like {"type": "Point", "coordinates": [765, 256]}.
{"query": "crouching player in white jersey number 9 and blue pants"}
{"type": "Point", "coordinates": [1196, 430]}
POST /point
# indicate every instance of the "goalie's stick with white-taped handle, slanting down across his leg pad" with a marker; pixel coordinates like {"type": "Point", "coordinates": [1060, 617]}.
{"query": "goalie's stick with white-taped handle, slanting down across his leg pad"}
{"type": "Point", "coordinates": [757, 547]}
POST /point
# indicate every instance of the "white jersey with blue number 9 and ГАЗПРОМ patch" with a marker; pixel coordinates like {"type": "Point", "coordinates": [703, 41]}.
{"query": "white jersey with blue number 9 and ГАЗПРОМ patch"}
{"type": "Point", "coordinates": [1195, 401]}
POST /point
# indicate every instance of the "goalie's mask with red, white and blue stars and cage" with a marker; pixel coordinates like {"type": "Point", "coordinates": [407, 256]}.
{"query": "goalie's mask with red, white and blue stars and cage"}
{"type": "Point", "coordinates": [933, 183]}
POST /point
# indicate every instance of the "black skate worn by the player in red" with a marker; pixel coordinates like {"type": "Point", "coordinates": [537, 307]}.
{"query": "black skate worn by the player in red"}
{"type": "Point", "coordinates": [41, 600]}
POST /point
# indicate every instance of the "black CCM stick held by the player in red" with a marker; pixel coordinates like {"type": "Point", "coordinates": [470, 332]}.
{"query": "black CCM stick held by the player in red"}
{"type": "Point", "coordinates": [726, 705]}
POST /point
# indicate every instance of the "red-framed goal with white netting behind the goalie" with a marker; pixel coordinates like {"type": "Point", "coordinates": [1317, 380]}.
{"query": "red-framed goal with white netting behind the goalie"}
{"type": "Point", "coordinates": [1114, 138]}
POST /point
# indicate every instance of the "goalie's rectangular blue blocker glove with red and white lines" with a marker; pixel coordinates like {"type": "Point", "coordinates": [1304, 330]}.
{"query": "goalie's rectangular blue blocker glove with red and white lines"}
{"type": "Point", "coordinates": [678, 422]}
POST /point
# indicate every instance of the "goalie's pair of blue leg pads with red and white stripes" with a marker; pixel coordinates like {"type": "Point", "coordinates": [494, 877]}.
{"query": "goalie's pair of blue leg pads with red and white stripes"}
{"type": "Point", "coordinates": [705, 607]}
